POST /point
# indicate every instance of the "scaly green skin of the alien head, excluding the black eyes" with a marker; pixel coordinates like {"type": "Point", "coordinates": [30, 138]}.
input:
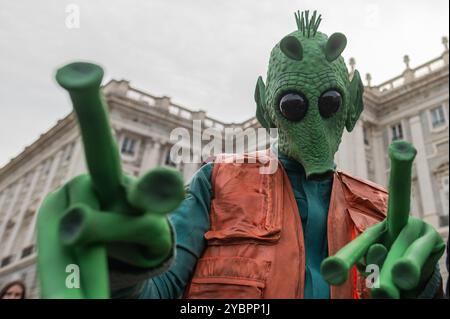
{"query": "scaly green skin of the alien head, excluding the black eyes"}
{"type": "Point", "coordinates": [312, 141]}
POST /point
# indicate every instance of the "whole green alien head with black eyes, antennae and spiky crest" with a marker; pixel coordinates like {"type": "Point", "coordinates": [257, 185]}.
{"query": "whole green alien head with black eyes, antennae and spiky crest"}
{"type": "Point", "coordinates": [309, 96]}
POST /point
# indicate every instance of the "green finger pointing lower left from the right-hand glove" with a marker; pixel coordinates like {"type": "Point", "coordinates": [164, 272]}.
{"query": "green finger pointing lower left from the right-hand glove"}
{"type": "Point", "coordinates": [335, 268]}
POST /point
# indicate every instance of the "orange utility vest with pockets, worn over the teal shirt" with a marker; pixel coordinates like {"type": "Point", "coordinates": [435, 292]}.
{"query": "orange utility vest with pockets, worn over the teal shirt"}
{"type": "Point", "coordinates": [255, 246]}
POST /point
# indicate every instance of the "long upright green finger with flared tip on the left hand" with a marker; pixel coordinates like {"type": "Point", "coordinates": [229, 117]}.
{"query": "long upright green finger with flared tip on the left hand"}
{"type": "Point", "coordinates": [82, 81]}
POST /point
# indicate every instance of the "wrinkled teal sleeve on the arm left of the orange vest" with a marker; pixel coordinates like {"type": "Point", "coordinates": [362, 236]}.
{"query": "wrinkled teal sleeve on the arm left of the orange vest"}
{"type": "Point", "coordinates": [189, 224]}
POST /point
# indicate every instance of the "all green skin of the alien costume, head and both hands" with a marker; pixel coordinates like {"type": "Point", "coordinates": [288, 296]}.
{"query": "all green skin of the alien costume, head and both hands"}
{"type": "Point", "coordinates": [106, 213]}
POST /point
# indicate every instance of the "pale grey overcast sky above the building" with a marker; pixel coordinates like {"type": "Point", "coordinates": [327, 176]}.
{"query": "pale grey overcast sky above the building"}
{"type": "Point", "coordinates": [205, 54]}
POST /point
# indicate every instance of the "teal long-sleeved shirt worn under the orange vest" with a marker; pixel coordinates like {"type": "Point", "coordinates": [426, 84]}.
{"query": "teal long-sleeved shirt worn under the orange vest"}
{"type": "Point", "coordinates": [191, 221]}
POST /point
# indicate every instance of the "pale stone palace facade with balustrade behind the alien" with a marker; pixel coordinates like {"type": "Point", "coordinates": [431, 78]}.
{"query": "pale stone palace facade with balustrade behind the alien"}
{"type": "Point", "coordinates": [413, 106]}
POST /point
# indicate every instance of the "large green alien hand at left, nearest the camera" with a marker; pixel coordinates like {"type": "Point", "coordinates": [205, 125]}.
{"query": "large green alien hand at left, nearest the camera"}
{"type": "Point", "coordinates": [105, 213]}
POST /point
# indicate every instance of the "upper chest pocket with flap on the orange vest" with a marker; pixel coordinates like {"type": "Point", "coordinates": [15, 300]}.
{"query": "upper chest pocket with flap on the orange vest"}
{"type": "Point", "coordinates": [246, 208]}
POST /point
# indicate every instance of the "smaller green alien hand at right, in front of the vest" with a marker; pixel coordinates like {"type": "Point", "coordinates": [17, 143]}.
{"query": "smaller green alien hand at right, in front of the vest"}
{"type": "Point", "coordinates": [405, 248]}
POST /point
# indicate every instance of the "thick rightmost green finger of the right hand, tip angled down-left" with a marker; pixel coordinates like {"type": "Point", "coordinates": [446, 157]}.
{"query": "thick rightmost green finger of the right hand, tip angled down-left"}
{"type": "Point", "coordinates": [406, 272]}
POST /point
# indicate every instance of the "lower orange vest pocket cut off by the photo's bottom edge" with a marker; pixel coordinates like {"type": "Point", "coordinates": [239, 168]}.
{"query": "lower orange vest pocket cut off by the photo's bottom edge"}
{"type": "Point", "coordinates": [228, 278]}
